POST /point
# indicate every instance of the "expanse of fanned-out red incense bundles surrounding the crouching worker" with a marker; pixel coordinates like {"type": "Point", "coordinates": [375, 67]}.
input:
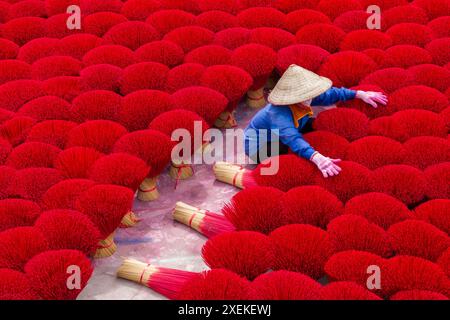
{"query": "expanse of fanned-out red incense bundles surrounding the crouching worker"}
{"type": "Point", "coordinates": [75, 109]}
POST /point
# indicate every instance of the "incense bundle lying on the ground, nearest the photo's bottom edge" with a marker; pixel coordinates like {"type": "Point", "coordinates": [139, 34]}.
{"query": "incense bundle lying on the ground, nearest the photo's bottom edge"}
{"type": "Point", "coordinates": [167, 282]}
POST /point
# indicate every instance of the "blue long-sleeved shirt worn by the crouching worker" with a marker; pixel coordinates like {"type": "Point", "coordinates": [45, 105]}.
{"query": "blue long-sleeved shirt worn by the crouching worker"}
{"type": "Point", "coordinates": [279, 123]}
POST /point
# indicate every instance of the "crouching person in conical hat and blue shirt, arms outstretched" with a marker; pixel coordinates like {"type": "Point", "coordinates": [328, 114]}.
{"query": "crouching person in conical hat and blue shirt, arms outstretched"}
{"type": "Point", "coordinates": [279, 126]}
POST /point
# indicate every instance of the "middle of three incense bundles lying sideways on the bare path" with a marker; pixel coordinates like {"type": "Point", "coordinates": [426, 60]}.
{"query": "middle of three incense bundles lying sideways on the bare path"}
{"type": "Point", "coordinates": [205, 222]}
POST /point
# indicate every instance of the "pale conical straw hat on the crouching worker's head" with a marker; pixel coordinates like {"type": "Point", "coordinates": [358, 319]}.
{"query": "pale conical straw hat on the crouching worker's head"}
{"type": "Point", "coordinates": [298, 85]}
